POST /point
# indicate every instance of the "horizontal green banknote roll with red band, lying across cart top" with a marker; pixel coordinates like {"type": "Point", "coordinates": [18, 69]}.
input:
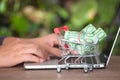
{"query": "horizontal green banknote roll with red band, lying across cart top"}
{"type": "Point", "coordinates": [80, 37]}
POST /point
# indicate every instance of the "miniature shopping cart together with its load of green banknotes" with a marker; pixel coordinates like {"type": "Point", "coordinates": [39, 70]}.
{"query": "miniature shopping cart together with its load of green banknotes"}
{"type": "Point", "coordinates": [79, 49]}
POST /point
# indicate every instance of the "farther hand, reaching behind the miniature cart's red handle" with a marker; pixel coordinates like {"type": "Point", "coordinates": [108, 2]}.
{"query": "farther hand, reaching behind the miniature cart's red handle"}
{"type": "Point", "coordinates": [48, 43]}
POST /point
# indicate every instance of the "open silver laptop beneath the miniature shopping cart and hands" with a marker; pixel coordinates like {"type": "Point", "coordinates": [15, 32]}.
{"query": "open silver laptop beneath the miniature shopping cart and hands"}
{"type": "Point", "coordinates": [103, 59]}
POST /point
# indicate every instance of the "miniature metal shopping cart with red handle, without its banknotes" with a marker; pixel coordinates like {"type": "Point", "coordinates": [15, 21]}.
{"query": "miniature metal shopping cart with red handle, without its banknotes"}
{"type": "Point", "coordinates": [72, 58]}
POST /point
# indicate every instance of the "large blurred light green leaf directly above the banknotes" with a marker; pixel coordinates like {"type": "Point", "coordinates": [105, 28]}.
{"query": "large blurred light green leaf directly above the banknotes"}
{"type": "Point", "coordinates": [82, 12]}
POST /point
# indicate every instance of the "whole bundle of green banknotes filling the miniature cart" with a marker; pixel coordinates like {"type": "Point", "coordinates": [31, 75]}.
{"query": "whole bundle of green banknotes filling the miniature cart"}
{"type": "Point", "coordinates": [85, 40]}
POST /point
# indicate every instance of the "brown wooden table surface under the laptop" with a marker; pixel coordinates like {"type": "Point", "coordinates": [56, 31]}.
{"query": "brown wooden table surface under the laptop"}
{"type": "Point", "coordinates": [112, 72]}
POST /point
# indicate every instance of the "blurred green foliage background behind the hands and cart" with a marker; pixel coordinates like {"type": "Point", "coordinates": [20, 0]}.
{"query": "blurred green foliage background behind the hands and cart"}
{"type": "Point", "coordinates": [35, 18]}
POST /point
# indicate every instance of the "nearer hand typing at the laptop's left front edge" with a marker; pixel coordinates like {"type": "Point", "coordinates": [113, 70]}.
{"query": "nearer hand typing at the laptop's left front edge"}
{"type": "Point", "coordinates": [15, 51]}
